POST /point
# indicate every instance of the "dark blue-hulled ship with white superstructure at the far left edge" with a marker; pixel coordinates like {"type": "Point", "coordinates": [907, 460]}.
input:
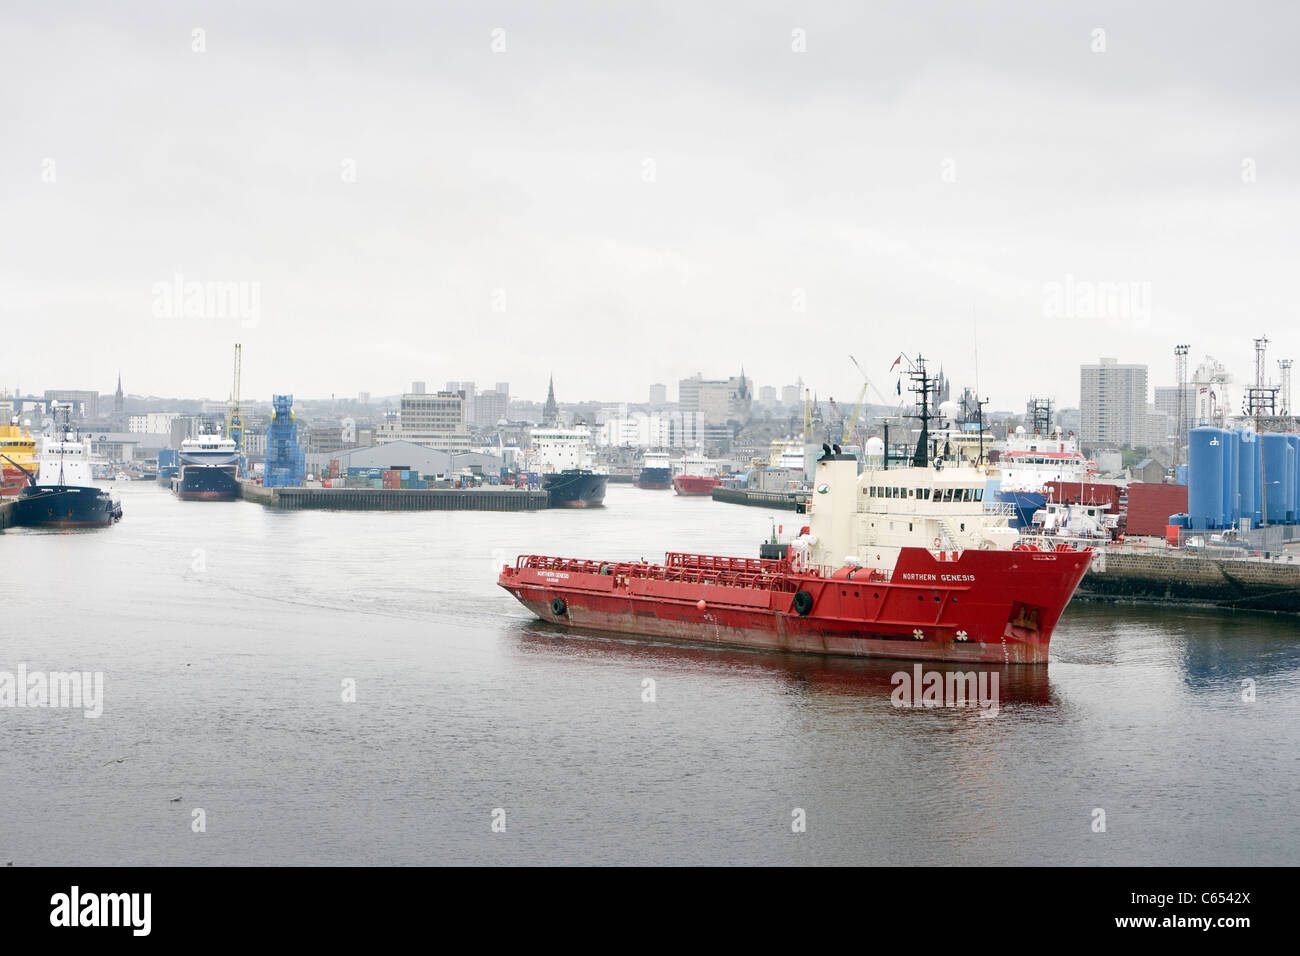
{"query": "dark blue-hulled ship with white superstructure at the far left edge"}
{"type": "Point", "coordinates": [62, 495]}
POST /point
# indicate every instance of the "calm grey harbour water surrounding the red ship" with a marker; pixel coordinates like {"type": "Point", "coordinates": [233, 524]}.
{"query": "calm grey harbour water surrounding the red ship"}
{"type": "Point", "coordinates": [228, 635]}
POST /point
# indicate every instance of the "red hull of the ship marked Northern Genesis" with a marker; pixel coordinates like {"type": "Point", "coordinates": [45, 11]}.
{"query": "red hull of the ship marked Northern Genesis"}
{"type": "Point", "coordinates": [980, 608]}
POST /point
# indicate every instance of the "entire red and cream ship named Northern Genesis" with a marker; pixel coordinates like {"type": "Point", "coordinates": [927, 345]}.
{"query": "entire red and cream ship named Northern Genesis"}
{"type": "Point", "coordinates": [902, 561]}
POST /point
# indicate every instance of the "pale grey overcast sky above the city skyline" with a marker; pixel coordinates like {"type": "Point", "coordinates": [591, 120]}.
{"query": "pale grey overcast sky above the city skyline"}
{"type": "Point", "coordinates": [632, 193]}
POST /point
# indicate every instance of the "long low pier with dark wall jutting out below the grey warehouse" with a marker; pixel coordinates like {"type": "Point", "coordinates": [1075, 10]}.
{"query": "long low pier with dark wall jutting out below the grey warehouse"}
{"type": "Point", "coordinates": [398, 499]}
